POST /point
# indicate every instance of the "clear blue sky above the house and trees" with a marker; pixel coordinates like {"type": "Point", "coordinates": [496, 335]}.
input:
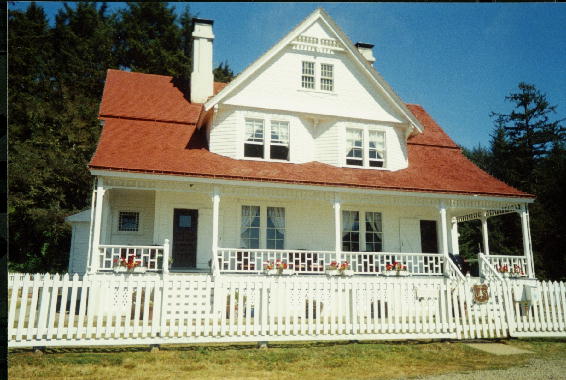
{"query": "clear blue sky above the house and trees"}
{"type": "Point", "coordinates": [458, 61]}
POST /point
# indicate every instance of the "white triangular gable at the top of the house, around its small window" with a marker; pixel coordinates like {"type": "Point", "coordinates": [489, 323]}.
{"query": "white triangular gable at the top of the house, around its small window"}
{"type": "Point", "coordinates": [268, 82]}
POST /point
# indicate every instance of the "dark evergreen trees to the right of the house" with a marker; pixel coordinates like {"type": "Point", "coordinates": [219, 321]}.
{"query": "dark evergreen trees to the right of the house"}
{"type": "Point", "coordinates": [527, 151]}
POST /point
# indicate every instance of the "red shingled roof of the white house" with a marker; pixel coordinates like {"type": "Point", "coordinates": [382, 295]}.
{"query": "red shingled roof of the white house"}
{"type": "Point", "coordinates": [172, 146]}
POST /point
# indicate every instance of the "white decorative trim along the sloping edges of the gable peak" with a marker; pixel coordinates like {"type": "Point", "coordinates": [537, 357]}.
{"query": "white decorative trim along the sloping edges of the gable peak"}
{"type": "Point", "coordinates": [330, 46]}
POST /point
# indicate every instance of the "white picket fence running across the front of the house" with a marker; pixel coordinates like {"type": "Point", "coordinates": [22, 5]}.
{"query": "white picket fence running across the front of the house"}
{"type": "Point", "coordinates": [50, 310]}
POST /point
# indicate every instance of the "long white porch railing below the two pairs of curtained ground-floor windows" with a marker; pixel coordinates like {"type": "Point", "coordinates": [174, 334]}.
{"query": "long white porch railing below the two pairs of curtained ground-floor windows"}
{"type": "Point", "coordinates": [233, 260]}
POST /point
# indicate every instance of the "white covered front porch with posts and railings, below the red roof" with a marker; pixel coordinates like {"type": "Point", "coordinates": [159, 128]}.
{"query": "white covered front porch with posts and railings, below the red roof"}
{"type": "Point", "coordinates": [200, 225]}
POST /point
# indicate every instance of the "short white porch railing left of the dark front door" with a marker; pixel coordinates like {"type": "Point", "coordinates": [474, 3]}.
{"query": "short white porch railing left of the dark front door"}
{"type": "Point", "coordinates": [149, 256]}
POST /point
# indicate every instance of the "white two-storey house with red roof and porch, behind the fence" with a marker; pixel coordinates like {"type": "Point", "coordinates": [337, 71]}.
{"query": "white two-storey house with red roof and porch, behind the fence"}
{"type": "Point", "coordinates": [308, 157]}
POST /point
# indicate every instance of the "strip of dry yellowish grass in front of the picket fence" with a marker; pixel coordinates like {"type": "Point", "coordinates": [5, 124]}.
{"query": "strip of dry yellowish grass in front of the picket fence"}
{"type": "Point", "coordinates": [320, 361]}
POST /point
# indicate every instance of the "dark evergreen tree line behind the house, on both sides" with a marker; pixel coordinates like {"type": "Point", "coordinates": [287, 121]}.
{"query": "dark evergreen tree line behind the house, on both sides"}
{"type": "Point", "coordinates": [56, 78]}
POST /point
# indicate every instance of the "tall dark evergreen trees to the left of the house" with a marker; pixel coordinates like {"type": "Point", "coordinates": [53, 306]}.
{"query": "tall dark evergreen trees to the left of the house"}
{"type": "Point", "coordinates": [56, 78]}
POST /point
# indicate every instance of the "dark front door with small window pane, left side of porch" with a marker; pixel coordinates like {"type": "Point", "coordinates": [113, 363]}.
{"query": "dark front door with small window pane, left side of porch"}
{"type": "Point", "coordinates": [185, 223]}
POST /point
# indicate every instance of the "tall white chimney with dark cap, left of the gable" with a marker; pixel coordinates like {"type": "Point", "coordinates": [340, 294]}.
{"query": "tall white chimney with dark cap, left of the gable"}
{"type": "Point", "coordinates": [202, 78]}
